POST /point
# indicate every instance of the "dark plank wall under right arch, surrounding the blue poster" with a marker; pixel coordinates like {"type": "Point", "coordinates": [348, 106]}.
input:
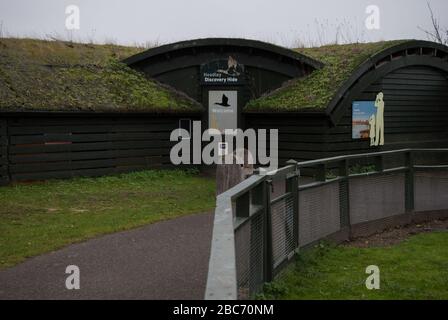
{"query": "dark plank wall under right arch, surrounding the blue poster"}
{"type": "Point", "coordinates": [415, 113]}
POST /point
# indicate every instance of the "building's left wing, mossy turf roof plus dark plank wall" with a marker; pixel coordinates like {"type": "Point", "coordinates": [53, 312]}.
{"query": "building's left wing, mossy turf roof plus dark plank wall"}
{"type": "Point", "coordinates": [75, 110]}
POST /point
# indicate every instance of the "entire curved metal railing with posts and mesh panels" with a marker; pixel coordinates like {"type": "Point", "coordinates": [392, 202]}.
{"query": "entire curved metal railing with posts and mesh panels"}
{"type": "Point", "coordinates": [352, 203]}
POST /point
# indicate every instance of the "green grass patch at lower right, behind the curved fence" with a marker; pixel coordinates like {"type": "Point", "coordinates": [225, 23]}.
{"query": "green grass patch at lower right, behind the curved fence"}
{"type": "Point", "coordinates": [416, 268]}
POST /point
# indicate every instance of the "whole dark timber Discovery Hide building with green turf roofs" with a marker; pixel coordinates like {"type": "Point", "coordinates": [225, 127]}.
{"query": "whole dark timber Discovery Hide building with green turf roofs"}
{"type": "Point", "coordinates": [76, 109]}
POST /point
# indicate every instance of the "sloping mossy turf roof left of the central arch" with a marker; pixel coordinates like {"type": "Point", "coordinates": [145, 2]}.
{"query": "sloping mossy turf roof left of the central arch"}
{"type": "Point", "coordinates": [38, 75]}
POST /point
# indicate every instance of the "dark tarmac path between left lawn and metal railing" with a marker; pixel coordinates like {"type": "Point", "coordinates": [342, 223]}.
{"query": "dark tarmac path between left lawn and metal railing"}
{"type": "Point", "coordinates": [165, 260]}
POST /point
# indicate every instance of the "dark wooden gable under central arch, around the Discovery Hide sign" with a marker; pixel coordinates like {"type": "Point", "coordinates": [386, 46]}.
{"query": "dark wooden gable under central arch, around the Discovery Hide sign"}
{"type": "Point", "coordinates": [181, 70]}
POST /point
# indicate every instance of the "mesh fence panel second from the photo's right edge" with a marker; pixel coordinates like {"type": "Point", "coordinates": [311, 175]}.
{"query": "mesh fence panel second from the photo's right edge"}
{"type": "Point", "coordinates": [376, 197]}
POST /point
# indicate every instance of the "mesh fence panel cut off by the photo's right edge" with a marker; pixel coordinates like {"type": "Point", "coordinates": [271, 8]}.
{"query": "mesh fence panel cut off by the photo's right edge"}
{"type": "Point", "coordinates": [431, 190]}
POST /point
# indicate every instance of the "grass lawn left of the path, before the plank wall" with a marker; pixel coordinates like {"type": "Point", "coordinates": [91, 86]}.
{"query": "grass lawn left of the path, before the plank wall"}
{"type": "Point", "coordinates": [40, 217]}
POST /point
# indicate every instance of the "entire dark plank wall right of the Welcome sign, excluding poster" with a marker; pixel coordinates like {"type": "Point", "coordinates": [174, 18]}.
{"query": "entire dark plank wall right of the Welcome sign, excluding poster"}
{"type": "Point", "coordinates": [416, 116]}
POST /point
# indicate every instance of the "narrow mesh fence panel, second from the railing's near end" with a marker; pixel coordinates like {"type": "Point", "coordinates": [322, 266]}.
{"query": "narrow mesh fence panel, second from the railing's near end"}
{"type": "Point", "coordinates": [282, 219]}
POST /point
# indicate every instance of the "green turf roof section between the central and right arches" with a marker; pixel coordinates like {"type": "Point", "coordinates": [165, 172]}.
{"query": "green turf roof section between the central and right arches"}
{"type": "Point", "coordinates": [316, 90]}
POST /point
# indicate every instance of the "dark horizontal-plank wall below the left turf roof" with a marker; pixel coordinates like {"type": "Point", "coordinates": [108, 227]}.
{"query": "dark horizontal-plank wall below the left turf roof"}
{"type": "Point", "coordinates": [62, 146]}
